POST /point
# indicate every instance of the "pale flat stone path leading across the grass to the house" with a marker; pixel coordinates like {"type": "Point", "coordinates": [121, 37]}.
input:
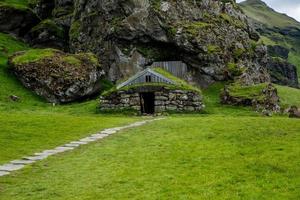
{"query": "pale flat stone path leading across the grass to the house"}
{"type": "Point", "coordinates": [15, 165]}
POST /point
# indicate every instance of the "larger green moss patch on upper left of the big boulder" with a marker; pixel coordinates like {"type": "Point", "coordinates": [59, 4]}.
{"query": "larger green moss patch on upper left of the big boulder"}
{"type": "Point", "coordinates": [33, 55]}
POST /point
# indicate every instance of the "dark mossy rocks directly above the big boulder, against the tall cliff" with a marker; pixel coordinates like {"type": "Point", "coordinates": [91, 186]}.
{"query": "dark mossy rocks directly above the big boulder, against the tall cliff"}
{"type": "Point", "coordinates": [52, 31]}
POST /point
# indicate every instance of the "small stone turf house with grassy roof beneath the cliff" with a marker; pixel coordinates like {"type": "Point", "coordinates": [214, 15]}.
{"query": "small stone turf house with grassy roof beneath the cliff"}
{"type": "Point", "coordinates": [153, 90]}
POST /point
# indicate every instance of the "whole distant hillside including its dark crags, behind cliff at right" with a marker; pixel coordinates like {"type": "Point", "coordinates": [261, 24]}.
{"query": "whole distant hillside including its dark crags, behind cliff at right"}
{"type": "Point", "coordinates": [282, 33]}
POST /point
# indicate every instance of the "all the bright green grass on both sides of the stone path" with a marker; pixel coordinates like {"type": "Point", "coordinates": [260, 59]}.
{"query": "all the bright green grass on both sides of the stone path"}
{"type": "Point", "coordinates": [225, 153]}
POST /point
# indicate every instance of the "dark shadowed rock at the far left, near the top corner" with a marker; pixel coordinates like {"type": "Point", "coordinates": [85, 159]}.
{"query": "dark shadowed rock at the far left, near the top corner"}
{"type": "Point", "coordinates": [16, 20]}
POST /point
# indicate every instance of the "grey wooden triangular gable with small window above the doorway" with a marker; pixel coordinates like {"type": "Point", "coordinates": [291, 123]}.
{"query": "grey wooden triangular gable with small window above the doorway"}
{"type": "Point", "coordinates": [146, 76]}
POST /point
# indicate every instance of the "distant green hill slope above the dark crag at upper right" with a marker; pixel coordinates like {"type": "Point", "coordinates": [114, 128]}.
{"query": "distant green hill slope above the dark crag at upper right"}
{"type": "Point", "coordinates": [275, 28]}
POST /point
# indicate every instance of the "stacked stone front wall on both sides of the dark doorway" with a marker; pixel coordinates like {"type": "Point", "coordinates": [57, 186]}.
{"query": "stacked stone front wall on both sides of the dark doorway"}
{"type": "Point", "coordinates": [165, 100]}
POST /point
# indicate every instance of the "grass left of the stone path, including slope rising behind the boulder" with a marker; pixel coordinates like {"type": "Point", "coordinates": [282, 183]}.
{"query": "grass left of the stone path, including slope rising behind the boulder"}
{"type": "Point", "coordinates": [31, 125]}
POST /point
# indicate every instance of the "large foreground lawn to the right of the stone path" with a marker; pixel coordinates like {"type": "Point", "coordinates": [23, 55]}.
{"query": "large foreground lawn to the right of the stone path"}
{"type": "Point", "coordinates": [191, 157]}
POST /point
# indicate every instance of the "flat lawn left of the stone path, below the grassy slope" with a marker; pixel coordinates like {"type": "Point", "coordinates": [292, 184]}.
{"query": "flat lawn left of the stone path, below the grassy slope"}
{"type": "Point", "coordinates": [26, 133]}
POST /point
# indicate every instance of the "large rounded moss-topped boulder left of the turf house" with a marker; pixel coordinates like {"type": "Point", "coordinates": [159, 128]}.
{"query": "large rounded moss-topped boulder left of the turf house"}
{"type": "Point", "coordinates": [56, 76]}
